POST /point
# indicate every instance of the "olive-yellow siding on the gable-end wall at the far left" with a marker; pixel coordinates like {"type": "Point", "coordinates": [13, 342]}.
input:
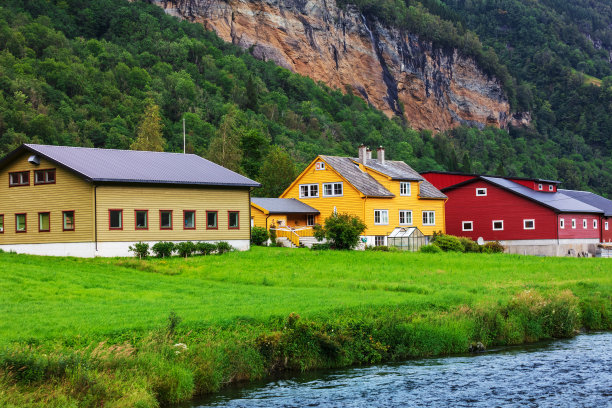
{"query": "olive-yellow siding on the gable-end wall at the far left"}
{"type": "Point", "coordinates": [69, 193]}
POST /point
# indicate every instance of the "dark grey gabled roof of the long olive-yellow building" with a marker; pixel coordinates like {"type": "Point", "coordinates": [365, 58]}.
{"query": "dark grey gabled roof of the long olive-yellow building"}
{"type": "Point", "coordinates": [132, 166]}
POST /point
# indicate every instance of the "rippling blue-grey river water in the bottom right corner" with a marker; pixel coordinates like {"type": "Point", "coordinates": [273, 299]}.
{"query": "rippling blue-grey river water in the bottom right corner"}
{"type": "Point", "coordinates": [566, 373]}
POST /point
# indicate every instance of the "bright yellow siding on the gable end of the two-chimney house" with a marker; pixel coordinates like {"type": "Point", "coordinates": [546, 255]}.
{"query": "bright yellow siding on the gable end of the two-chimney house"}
{"type": "Point", "coordinates": [351, 202]}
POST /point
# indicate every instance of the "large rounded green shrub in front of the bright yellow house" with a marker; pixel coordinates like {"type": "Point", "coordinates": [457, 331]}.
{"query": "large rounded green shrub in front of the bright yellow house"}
{"type": "Point", "coordinates": [341, 230]}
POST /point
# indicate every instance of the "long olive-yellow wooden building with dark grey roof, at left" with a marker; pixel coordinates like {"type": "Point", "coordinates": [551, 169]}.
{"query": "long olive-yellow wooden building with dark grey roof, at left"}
{"type": "Point", "coordinates": [59, 200]}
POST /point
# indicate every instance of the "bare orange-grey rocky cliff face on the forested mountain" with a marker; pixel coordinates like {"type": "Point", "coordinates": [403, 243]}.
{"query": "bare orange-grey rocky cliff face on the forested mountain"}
{"type": "Point", "coordinates": [392, 70]}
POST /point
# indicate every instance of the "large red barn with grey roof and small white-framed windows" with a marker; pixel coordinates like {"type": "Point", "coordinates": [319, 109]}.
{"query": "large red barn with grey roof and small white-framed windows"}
{"type": "Point", "coordinates": [528, 216]}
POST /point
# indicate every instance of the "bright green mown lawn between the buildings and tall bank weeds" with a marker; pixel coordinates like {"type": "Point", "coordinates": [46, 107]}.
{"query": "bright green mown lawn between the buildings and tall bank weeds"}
{"type": "Point", "coordinates": [47, 297]}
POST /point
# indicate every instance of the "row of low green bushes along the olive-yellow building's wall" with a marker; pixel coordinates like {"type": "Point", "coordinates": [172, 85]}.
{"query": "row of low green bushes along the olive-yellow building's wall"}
{"type": "Point", "coordinates": [164, 249]}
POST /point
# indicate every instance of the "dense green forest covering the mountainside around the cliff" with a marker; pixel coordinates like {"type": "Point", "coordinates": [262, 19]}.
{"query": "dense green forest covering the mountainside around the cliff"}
{"type": "Point", "coordinates": [101, 72]}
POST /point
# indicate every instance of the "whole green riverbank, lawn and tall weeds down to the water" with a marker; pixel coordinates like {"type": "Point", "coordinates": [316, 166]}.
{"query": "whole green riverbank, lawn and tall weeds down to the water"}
{"type": "Point", "coordinates": [123, 332]}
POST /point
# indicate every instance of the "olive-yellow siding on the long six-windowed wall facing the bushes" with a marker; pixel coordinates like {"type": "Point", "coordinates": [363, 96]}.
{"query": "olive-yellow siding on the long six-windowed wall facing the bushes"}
{"type": "Point", "coordinates": [177, 199]}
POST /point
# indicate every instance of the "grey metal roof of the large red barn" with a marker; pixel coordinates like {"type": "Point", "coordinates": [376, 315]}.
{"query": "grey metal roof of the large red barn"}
{"type": "Point", "coordinates": [557, 201]}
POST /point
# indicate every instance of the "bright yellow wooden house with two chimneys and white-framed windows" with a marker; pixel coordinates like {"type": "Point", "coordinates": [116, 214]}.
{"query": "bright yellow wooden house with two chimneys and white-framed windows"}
{"type": "Point", "coordinates": [385, 194]}
